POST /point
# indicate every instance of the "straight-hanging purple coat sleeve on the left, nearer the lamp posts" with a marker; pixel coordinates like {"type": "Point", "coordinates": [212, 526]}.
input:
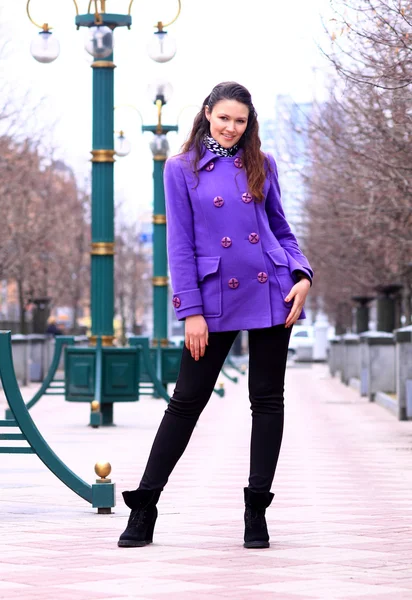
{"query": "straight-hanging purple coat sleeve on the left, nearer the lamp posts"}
{"type": "Point", "coordinates": [187, 299]}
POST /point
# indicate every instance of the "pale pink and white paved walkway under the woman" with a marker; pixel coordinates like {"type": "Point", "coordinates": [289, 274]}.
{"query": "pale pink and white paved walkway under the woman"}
{"type": "Point", "coordinates": [340, 522]}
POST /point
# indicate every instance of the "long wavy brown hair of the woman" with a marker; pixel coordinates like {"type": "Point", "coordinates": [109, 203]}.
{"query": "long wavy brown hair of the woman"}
{"type": "Point", "coordinates": [253, 158]}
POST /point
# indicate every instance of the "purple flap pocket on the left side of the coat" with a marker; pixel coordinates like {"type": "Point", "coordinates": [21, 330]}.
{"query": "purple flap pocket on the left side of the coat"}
{"type": "Point", "coordinates": [210, 285]}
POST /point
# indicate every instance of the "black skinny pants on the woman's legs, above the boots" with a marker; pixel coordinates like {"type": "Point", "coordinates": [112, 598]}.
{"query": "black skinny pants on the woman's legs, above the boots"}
{"type": "Point", "coordinates": [267, 364]}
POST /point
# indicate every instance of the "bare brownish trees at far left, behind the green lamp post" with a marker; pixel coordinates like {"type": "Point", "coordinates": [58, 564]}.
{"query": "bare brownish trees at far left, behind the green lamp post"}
{"type": "Point", "coordinates": [45, 231]}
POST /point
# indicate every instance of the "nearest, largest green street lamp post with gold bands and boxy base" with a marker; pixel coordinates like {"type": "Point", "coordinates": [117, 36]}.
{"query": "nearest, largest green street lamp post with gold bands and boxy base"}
{"type": "Point", "coordinates": [99, 43]}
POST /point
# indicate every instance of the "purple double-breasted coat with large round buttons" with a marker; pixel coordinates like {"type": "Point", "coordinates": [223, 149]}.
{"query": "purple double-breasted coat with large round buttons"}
{"type": "Point", "coordinates": [231, 259]}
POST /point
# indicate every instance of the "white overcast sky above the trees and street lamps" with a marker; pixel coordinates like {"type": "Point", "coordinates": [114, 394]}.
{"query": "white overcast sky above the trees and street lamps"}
{"type": "Point", "coordinates": [267, 45]}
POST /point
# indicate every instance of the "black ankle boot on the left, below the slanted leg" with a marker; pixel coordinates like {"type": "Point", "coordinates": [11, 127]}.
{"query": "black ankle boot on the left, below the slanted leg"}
{"type": "Point", "coordinates": [139, 530]}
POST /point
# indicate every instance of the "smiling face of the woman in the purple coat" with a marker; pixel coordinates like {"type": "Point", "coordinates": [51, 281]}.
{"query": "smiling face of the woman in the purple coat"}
{"type": "Point", "coordinates": [228, 121]}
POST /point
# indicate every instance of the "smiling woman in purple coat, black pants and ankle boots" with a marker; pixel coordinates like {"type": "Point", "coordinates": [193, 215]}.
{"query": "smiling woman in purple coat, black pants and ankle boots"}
{"type": "Point", "coordinates": [235, 265]}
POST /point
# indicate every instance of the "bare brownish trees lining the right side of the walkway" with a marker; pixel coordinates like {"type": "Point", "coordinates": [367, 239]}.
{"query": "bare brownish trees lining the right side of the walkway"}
{"type": "Point", "coordinates": [359, 211]}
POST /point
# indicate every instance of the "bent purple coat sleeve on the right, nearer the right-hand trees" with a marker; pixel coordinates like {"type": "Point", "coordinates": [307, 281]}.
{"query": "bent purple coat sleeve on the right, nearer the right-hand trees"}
{"type": "Point", "coordinates": [281, 229]}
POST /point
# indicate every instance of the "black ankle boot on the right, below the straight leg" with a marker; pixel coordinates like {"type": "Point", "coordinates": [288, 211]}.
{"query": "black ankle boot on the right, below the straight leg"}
{"type": "Point", "coordinates": [256, 531]}
